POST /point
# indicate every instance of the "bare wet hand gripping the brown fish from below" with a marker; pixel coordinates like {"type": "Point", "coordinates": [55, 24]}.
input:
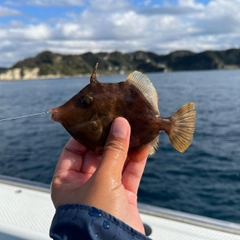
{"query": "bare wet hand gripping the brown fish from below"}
{"type": "Point", "coordinates": [108, 182]}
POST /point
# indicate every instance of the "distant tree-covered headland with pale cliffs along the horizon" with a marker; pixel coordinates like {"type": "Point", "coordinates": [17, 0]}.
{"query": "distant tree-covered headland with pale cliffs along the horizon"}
{"type": "Point", "coordinates": [53, 65]}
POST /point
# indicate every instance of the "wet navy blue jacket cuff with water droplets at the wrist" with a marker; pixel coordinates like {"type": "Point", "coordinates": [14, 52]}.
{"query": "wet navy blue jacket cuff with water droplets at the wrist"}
{"type": "Point", "coordinates": [77, 221]}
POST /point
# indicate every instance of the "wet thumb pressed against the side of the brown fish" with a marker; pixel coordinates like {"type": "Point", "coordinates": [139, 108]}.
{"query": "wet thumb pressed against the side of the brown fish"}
{"type": "Point", "coordinates": [116, 149]}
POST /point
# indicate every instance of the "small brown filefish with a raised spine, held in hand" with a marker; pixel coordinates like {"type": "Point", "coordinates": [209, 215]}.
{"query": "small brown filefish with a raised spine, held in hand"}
{"type": "Point", "coordinates": [88, 115]}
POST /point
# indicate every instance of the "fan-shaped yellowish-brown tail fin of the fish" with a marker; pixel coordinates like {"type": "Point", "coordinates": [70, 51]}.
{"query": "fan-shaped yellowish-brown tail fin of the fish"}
{"type": "Point", "coordinates": [183, 126]}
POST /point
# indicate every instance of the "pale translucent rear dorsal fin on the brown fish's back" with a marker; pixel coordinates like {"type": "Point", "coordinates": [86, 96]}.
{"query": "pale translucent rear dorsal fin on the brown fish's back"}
{"type": "Point", "coordinates": [143, 83]}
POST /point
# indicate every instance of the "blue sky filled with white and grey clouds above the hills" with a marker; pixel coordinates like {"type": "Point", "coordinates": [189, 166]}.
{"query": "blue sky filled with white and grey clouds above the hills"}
{"type": "Point", "coordinates": [28, 27]}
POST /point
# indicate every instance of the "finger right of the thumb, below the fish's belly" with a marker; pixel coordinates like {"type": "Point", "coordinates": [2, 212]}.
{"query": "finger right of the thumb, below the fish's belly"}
{"type": "Point", "coordinates": [134, 168]}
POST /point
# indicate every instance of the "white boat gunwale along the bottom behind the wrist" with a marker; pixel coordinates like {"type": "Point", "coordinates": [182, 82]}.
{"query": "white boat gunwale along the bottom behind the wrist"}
{"type": "Point", "coordinates": [26, 212]}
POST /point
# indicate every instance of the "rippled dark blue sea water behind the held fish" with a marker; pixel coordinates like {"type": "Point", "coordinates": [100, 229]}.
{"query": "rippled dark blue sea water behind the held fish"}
{"type": "Point", "coordinates": [204, 180]}
